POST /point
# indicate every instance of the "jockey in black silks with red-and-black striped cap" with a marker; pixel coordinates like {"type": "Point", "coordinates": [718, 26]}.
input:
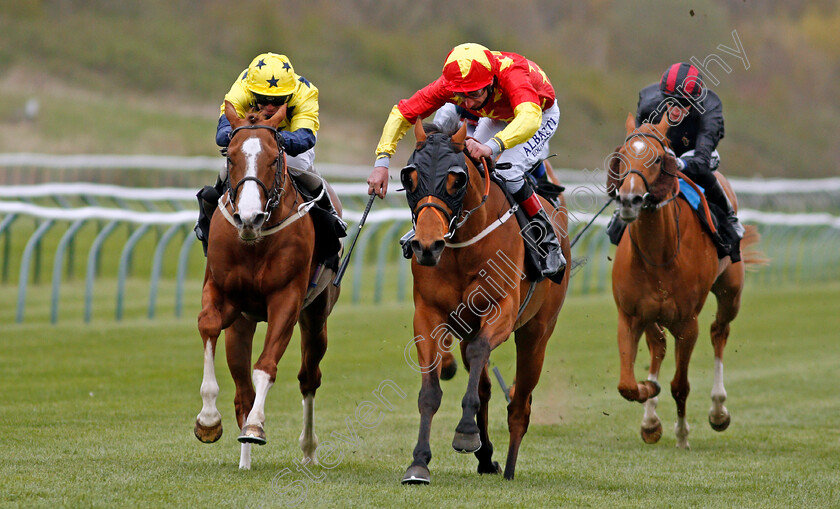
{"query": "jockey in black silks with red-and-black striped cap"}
{"type": "Point", "coordinates": [696, 118]}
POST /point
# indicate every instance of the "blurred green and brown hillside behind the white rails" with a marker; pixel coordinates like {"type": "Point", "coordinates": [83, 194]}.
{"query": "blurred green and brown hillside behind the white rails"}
{"type": "Point", "coordinates": [147, 77]}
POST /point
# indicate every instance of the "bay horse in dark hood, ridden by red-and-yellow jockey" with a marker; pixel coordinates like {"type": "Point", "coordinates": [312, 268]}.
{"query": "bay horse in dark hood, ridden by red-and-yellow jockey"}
{"type": "Point", "coordinates": [469, 282]}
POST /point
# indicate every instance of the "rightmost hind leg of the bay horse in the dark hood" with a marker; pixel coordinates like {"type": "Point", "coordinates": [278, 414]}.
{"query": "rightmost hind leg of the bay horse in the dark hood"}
{"type": "Point", "coordinates": [531, 341]}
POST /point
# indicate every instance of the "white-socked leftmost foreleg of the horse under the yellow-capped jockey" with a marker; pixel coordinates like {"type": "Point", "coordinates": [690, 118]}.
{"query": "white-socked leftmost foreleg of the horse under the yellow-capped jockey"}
{"type": "Point", "coordinates": [208, 423]}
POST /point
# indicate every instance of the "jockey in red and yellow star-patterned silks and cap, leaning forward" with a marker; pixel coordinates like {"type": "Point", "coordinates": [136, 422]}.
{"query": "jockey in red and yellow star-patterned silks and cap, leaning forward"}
{"type": "Point", "coordinates": [518, 115]}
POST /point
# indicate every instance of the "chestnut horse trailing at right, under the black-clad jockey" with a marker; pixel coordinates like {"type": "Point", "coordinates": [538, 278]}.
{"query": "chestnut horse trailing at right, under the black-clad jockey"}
{"type": "Point", "coordinates": [664, 268]}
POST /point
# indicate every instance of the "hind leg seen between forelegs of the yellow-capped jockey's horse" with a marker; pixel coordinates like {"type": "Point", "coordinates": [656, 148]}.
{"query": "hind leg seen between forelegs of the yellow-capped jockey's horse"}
{"type": "Point", "coordinates": [239, 339]}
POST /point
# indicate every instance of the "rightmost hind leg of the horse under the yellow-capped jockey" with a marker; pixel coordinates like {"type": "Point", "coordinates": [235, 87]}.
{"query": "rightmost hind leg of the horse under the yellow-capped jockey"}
{"type": "Point", "coordinates": [313, 346]}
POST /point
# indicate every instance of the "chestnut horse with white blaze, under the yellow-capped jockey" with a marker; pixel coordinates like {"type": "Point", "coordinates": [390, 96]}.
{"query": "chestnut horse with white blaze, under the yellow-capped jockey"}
{"type": "Point", "coordinates": [259, 266]}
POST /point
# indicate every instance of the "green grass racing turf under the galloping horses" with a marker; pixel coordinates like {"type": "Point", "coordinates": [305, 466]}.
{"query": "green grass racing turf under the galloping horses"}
{"type": "Point", "coordinates": [102, 416]}
